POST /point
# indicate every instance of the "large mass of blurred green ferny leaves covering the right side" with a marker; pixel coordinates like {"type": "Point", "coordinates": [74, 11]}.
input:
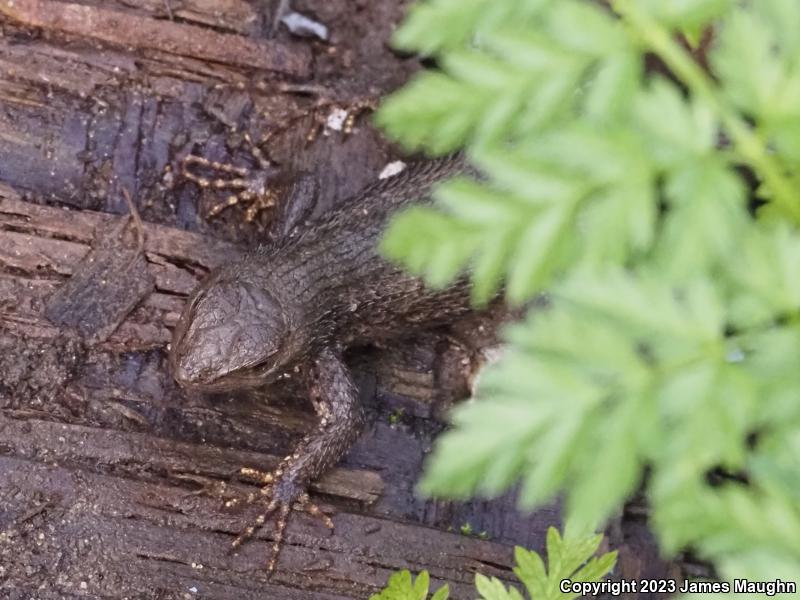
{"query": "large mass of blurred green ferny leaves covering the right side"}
{"type": "Point", "coordinates": [658, 210]}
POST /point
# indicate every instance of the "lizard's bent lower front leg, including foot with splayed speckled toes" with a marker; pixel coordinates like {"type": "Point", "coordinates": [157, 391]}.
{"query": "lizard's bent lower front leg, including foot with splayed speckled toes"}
{"type": "Point", "coordinates": [341, 418]}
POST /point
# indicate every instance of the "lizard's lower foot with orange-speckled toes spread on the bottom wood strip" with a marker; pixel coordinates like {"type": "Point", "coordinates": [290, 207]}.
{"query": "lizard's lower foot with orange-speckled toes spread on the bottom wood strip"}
{"type": "Point", "coordinates": [279, 496]}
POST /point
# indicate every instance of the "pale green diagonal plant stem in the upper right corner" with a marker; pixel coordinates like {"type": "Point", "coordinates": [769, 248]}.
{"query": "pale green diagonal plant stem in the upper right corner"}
{"type": "Point", "coordinates": [681, 63]}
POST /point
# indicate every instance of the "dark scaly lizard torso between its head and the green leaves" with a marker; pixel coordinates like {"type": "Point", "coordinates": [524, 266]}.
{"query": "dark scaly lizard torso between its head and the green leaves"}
{"type": "Point", "coordinates": [333, 268]}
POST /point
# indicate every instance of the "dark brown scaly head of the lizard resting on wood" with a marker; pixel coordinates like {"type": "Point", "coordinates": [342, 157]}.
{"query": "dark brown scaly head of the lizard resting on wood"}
{"type": "Point", "coordinates": [231, 334]}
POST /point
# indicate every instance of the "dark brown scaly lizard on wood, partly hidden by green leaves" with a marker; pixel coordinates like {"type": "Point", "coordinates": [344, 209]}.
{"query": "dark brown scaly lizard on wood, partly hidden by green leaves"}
{"type": "Point", "coordinates": [302, 301]}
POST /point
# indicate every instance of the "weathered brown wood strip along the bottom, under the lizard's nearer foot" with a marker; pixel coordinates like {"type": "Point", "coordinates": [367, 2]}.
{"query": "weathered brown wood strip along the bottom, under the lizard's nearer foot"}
{"type": "Point", "coordinates": [158, 537]}
